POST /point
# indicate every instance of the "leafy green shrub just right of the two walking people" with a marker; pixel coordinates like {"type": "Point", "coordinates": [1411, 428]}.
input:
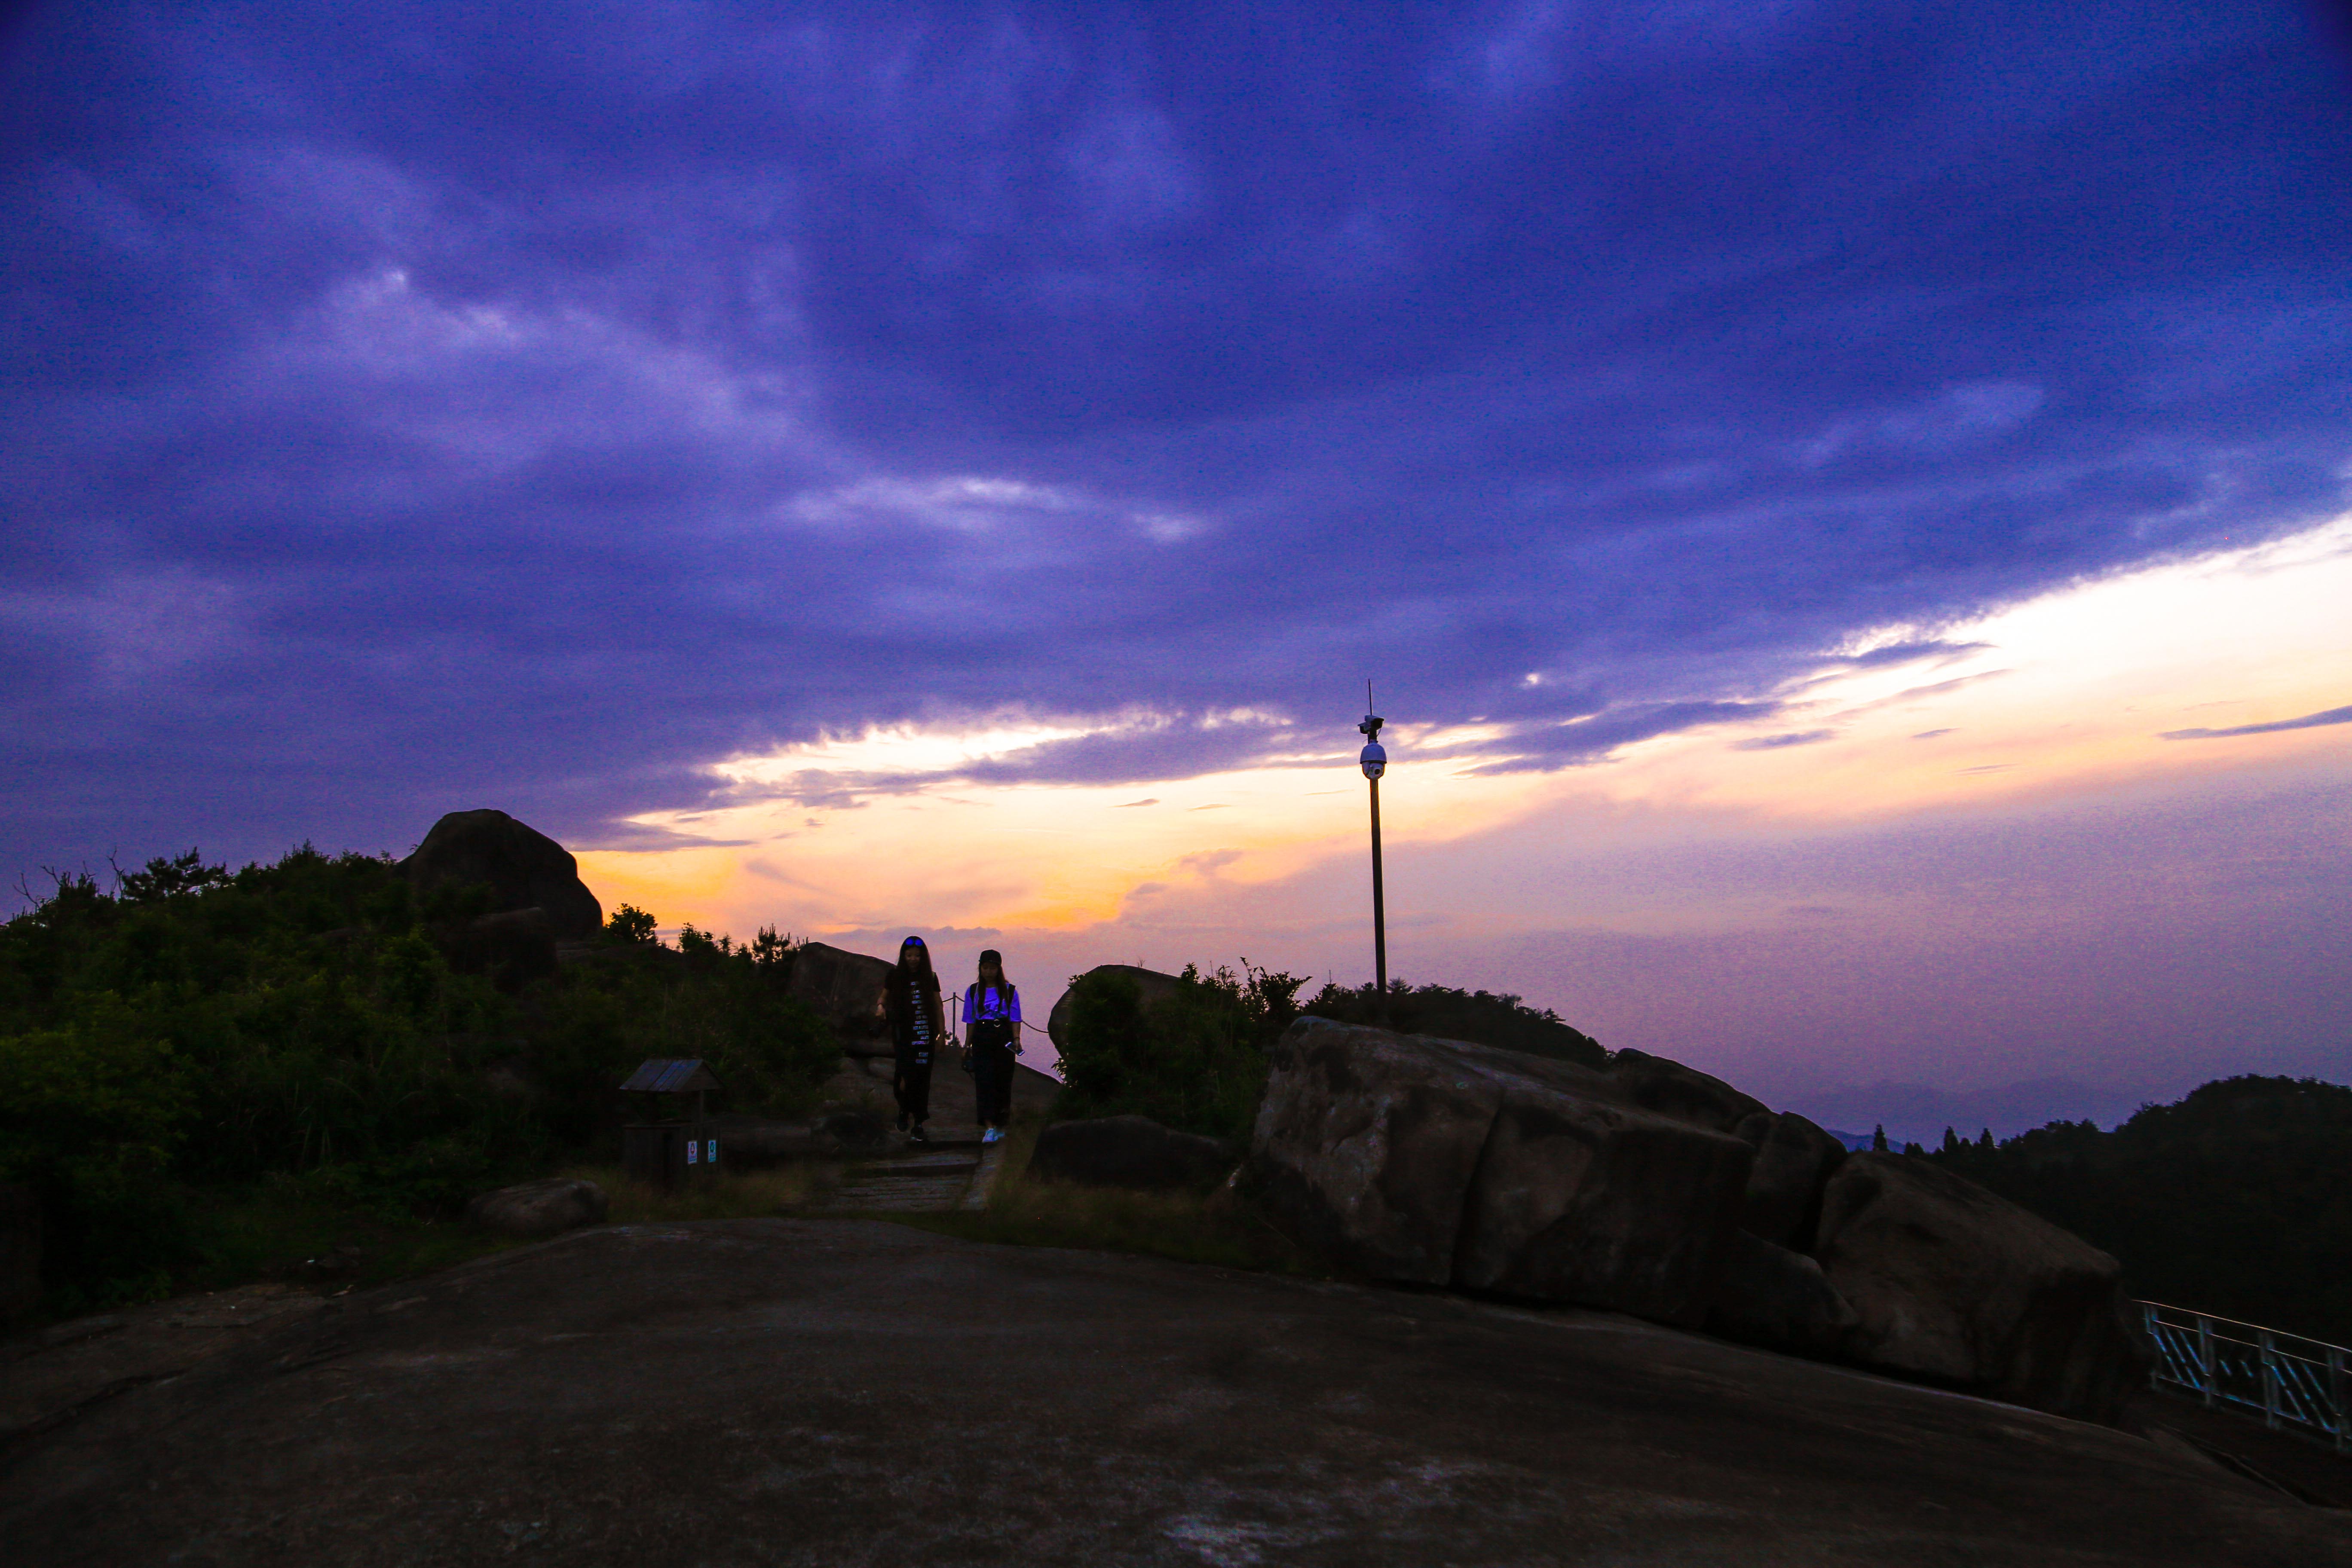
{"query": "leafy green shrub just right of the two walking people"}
{"type": "Point", "coordinates": [1191, 1061]}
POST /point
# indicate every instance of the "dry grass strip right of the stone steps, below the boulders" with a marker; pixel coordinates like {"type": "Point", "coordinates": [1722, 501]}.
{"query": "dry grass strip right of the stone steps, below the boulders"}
{"type": "Point", "coordinates": [1220, 1228]}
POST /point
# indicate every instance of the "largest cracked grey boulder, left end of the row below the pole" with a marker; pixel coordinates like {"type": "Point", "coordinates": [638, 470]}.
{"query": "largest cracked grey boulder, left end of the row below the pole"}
{"type": "Point", "coordinates": [1443, 1162]}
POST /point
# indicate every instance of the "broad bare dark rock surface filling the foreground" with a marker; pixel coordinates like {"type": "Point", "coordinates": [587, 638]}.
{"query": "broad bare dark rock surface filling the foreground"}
{"type": "Point", "coordinates": [857, 1393]}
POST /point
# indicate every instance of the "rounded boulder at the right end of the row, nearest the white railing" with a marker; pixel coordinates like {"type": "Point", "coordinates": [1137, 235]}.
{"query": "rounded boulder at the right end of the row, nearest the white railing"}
{"type": "Point", "coordinates": [1963, 1287]}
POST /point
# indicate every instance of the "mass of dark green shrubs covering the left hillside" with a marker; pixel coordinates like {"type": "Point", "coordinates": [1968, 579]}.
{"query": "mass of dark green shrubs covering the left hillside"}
{"type": "Point", "coordinates": [321, 1021]}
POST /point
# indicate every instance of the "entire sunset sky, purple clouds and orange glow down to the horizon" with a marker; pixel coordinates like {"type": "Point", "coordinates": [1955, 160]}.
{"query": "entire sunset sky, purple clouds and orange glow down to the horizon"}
{"type": "Point", "coordinates": [1843, 507]}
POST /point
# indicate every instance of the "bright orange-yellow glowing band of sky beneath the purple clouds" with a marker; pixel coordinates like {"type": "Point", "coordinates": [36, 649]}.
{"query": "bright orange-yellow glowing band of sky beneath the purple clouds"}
{"type": "Point", "coordinates": [2057, 697]}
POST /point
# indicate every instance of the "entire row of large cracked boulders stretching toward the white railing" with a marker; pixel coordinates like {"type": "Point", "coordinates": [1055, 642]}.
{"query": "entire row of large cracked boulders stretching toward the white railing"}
{"type": "Point", "coordinates": [1671, 1195]}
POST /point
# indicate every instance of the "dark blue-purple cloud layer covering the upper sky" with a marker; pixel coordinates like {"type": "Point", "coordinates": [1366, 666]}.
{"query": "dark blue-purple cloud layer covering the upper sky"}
{"type": "Point", "coordinates": [425, 406]}
